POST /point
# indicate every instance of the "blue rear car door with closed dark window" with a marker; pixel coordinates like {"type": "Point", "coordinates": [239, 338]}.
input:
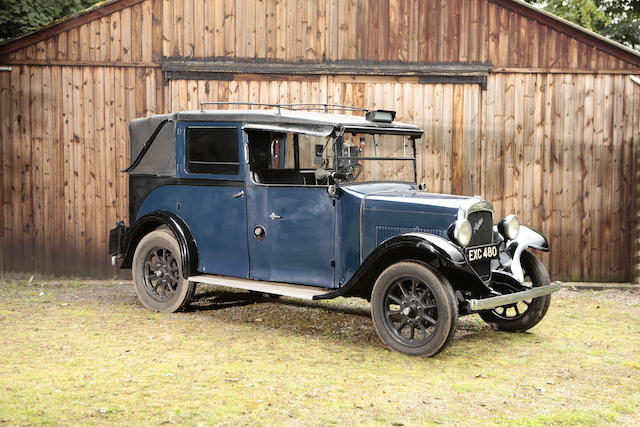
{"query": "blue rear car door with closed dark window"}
{"type": "Point", "coordinates": [211, 195]}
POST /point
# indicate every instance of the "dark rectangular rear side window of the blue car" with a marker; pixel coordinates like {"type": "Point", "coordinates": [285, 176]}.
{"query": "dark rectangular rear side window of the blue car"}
{"type": "Point", "coordinates": [212, 151]}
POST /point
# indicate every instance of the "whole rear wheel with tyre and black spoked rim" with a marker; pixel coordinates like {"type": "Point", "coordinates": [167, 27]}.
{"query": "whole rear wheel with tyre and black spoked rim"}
{"type": "Point", "coordinates": [157, 273]}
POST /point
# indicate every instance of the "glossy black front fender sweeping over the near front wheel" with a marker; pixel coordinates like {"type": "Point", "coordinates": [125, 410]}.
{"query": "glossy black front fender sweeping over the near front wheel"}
{"type": "Point", "coordinates": [426, 247]}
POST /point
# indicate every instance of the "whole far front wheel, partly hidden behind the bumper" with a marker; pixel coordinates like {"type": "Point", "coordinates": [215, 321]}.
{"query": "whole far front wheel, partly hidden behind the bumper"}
{"type": "Point", "coordinates": [522, 315]}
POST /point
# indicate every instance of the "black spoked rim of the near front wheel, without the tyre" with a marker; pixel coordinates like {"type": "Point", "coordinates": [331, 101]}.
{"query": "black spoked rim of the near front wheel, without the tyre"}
{"type": "Point", "coordinates": [411, 311]}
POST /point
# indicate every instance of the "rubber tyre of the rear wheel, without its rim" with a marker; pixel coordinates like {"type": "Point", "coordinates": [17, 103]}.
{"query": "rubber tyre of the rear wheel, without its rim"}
{"type": "Point", "coordinates": [163, 238]}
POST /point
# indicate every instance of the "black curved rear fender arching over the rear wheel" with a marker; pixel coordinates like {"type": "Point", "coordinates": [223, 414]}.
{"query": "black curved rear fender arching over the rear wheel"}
{"type": "Point", "coordinates": [149, 222]}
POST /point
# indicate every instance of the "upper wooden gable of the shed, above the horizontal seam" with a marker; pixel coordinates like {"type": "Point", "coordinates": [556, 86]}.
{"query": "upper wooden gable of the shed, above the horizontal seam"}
{"type": "Point", "coordinates": [426, 31]}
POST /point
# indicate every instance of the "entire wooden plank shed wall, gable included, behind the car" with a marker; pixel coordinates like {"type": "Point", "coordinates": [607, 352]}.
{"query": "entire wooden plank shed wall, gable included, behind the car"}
{"type": "Point", "coordinates": [548, 141]}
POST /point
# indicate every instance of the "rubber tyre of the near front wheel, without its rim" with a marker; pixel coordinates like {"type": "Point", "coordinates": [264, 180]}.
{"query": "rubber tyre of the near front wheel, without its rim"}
{"type": "Point", "coordinates": [446, 304]}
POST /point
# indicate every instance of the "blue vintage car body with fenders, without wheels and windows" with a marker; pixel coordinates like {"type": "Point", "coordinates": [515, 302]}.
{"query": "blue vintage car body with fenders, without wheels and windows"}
{"type": "Point", "coordinates": [311, 236]}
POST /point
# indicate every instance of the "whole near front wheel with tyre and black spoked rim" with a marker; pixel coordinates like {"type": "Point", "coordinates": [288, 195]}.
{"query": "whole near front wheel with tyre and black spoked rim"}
{"type": "Point", "coordinates": [414, 311]}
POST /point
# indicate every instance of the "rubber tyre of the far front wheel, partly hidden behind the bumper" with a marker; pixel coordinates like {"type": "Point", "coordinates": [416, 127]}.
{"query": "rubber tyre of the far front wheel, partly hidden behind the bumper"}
{"type": "Point", "coordinates": [537, 272]}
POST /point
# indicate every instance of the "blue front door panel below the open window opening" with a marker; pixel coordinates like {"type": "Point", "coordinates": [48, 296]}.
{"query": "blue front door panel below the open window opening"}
{"type": "Point", "coordinates": [292, 234]}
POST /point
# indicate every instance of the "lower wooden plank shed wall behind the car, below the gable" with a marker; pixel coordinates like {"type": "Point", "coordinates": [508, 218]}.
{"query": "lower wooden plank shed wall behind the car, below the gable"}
{"type": "Point", "coordinates": [555, 149]}
